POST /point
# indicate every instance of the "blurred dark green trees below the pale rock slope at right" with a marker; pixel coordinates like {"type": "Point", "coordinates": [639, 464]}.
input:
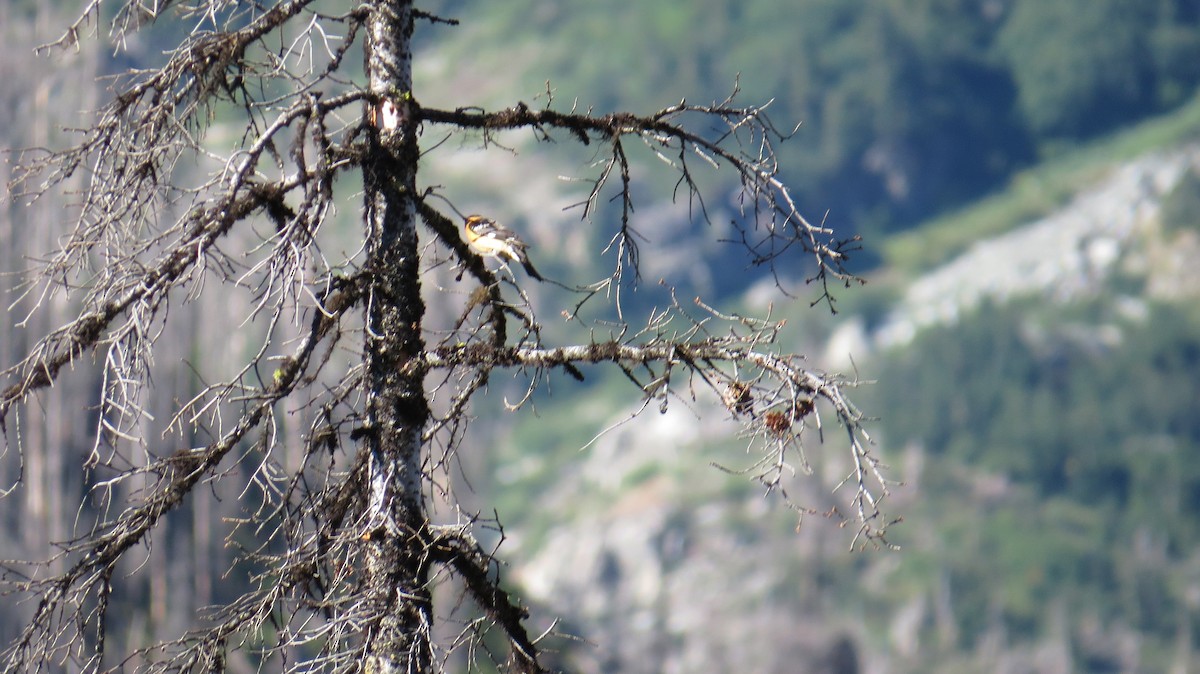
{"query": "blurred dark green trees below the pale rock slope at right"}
{"type": "Point", "coordinates": [1095, 446]}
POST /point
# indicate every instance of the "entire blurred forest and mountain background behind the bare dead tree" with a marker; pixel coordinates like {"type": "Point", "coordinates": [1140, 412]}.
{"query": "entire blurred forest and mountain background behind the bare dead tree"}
{"type": "Point", "coordinates": [1025, 178]}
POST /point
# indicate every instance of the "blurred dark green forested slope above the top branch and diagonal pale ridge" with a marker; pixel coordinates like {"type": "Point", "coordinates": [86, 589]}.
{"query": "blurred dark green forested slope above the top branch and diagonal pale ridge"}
{"type": "Point", "coordinates": [908, 109]}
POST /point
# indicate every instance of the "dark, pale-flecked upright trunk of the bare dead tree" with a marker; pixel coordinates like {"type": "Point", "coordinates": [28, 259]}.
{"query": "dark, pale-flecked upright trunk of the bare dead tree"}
{"type": "Point", "coordinates": [397, 406]}
